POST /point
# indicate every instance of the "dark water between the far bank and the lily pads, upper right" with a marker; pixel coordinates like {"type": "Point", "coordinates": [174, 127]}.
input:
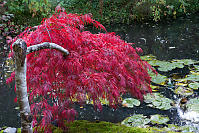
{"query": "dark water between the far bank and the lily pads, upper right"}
{"type": "Point", "coordinates": [168, 40]}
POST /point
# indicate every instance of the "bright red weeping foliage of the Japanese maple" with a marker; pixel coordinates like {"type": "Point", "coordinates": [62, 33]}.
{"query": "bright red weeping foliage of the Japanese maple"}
{"type": "Point", "coordinates": [98, 66]}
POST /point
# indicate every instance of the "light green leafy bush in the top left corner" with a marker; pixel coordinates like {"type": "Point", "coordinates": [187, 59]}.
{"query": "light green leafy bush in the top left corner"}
{"type": "Point", "coordinates": [29, 12]}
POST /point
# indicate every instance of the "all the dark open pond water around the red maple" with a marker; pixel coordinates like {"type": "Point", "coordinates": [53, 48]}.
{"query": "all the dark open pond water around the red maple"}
{"type": "Point", "coordinates": [177, 39]}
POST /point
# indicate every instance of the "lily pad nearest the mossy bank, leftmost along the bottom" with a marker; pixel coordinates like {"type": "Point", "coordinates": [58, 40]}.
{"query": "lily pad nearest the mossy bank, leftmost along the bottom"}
{"type": "Point", "coordinates": [136, 121]}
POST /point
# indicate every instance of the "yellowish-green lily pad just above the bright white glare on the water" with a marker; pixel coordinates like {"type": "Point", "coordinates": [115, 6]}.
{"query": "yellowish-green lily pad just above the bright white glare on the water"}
{"type": "Point", "coordinates": [184, 91]}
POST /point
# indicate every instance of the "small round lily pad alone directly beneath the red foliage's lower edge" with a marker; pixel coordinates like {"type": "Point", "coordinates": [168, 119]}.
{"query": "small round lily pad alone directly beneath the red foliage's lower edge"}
{"type": "Point", "coordinates": [130, 102]}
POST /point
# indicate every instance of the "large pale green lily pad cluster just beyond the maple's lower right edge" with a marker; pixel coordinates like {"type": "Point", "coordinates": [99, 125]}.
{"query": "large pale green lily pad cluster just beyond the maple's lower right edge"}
{"type": "Point", "coordinates": [156, 100]}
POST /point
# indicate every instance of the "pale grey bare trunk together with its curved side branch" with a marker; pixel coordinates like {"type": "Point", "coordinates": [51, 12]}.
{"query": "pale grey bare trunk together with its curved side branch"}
{"type": "Point", "coordinates": [20, 51]}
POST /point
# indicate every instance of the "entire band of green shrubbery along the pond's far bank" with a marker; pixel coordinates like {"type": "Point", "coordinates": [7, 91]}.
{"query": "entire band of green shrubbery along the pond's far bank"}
{"type": "Point", "coordinates": [109, 11]}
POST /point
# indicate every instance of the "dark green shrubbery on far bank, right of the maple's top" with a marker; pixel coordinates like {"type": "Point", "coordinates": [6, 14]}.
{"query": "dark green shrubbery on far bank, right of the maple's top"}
{"type": "Point", "coordinates": [126, 11]}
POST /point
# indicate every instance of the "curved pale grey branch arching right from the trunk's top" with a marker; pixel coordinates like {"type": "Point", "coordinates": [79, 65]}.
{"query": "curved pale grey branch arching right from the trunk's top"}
{"type": "Point", "coordinates": [46, 45]}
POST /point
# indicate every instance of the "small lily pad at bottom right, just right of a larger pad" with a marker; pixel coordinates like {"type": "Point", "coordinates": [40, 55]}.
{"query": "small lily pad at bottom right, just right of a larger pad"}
{"type": "Point", "coordinates": [159, 119]}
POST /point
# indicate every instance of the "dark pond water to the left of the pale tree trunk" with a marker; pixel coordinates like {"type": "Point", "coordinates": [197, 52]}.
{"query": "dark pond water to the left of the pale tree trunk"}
{"type": "Point", "coordinates": [8, 114]}
